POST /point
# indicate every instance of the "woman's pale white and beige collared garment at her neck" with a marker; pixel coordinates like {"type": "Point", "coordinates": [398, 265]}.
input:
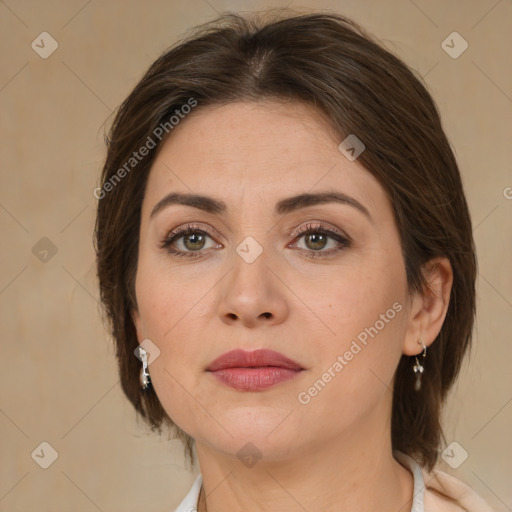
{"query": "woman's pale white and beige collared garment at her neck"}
{"type": "Point", "coordinates": [442, 492]}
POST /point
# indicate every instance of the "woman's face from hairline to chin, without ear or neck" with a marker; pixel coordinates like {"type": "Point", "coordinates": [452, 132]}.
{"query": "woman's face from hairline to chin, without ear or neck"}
{"type": "Point", "coordinates": [242, 269]}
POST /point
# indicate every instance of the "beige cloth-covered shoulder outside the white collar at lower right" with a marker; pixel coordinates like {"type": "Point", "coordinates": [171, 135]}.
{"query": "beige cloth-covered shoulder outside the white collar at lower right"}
{"type": "Point", "coordinates": [445, 493]}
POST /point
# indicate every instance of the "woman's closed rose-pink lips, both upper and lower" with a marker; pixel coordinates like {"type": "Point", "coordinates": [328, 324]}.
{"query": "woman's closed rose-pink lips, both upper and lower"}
{"type": "Point", "coordinates": [253, 371]}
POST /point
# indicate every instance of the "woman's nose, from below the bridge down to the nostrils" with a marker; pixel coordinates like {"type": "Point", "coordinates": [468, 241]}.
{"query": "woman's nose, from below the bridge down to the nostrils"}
{"type": "Point", "coordinates": [252, 294]}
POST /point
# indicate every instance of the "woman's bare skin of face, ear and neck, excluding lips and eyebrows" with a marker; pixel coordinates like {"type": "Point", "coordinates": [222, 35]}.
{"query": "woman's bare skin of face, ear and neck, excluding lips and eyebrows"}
{"type": "Point", "coordinates": [333, 453]}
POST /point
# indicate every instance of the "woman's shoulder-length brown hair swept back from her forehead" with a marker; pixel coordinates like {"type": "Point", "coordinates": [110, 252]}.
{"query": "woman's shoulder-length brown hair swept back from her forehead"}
{"type": "Point", "coordinates": [328, 62]}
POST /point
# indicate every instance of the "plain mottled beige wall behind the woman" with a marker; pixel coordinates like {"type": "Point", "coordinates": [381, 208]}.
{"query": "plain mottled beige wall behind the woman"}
{"type": "Point", "coordinates": [58, 377]}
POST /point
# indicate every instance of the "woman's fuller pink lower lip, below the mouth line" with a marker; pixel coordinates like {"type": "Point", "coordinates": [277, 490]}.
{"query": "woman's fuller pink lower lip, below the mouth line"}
{"type": "Point", "coordinates": [255, 379]}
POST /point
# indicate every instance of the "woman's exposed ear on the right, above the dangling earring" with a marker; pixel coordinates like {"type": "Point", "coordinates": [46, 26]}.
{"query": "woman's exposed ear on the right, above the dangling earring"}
{"type": "Point", "coordinates": [429, 307]}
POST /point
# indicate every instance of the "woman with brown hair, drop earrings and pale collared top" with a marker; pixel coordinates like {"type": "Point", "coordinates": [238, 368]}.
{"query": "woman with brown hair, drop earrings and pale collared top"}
{"type": "Point", "coordinates": [284, 243]}
